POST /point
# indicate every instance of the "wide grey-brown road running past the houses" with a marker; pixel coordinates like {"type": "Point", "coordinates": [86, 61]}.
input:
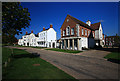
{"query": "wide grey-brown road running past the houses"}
{"type": "Point", "coordinates": [85, 65]}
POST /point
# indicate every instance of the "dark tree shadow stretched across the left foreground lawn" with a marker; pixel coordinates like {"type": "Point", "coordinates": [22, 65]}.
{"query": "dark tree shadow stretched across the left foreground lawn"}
{"type": "Point", "coordinates": [32, 55]}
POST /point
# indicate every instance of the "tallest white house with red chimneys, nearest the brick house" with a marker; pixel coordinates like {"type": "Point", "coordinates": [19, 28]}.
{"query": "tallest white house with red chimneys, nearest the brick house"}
{"type": "Point", "coordinates": [47, 38]}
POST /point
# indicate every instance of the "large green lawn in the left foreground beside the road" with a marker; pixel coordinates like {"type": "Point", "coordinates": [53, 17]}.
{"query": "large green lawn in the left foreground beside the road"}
{"type": "Point", "coordinates": [26, 66]}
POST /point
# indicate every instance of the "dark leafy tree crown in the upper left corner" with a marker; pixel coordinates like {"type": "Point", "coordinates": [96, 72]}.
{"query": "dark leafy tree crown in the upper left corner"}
{"type": "Point", "coordinates": [14, 18]}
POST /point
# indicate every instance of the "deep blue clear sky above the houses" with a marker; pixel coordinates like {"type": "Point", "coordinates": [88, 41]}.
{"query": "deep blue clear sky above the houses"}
{"type": "Point", "coordinates": [45, 13]}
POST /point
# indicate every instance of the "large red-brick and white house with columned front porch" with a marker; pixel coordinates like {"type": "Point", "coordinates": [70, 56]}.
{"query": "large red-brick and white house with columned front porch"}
{"type": "Point", "coordinates": [76, 34]}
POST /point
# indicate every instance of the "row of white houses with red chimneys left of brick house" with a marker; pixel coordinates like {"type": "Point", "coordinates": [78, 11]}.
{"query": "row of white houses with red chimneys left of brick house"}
{"type": "Point", "coordinates": [45, 38]}
